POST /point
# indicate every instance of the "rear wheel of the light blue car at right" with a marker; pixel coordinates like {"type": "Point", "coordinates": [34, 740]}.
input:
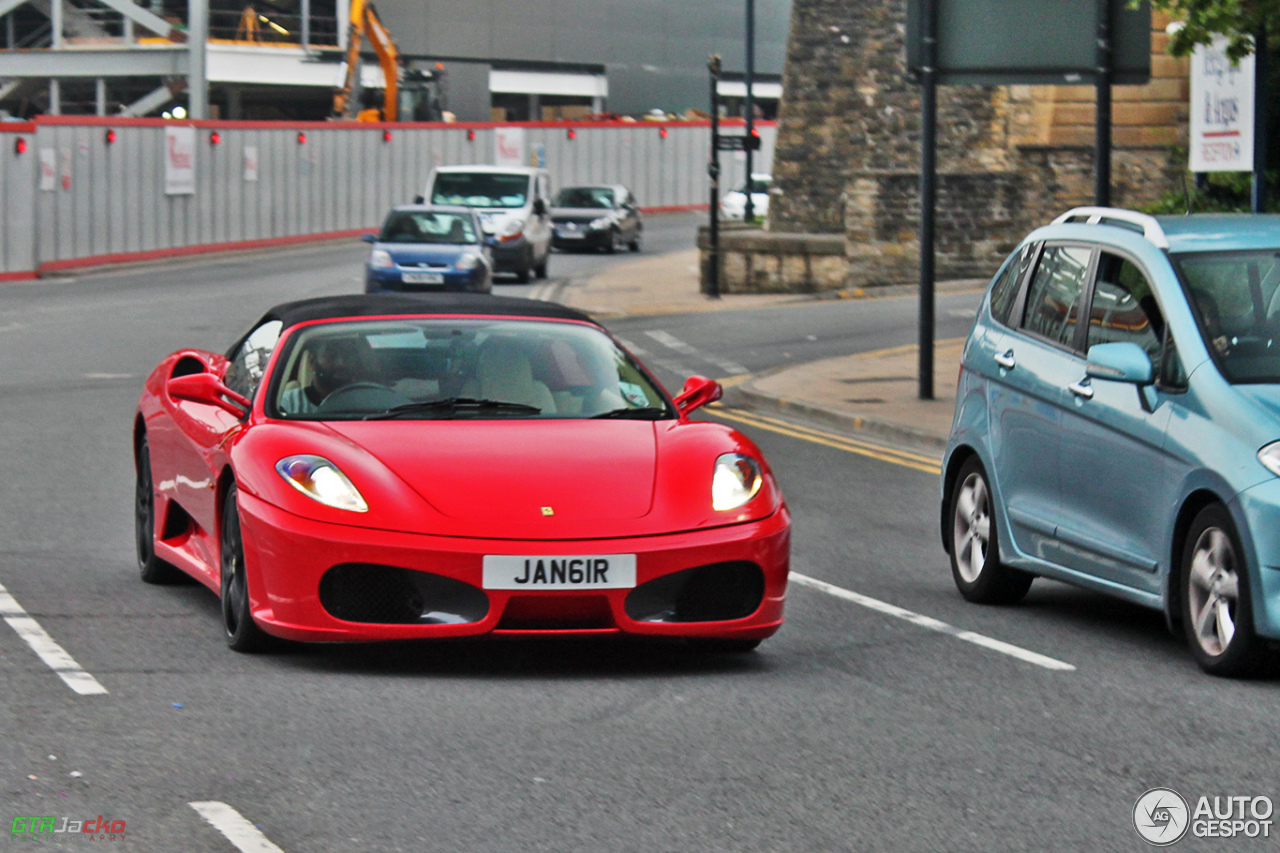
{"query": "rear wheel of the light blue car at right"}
{"type": "Point", "coordinates": [975, 546]}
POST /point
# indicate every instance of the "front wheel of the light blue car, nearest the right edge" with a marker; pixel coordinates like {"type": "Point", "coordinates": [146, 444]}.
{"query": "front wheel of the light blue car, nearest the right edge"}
{"type": "Point", "coordinates": [1218, 613]}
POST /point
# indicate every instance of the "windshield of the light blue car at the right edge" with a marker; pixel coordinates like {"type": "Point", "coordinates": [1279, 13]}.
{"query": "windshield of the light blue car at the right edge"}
{"type": "Point", "coordinates": [1237, 302]}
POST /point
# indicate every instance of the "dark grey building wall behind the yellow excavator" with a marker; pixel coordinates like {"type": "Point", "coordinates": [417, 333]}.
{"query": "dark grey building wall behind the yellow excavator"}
{"type": "Point", "coordinates": [655, 52]}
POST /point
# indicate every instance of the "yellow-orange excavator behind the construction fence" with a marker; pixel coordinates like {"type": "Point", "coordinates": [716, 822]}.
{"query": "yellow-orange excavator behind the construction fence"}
{"type": "Point", "coordinates": [408, 94]}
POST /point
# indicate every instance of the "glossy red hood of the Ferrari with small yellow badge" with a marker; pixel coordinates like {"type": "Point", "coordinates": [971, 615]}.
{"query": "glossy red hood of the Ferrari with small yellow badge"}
{"type": "Point", "coordinates": [518, 471]}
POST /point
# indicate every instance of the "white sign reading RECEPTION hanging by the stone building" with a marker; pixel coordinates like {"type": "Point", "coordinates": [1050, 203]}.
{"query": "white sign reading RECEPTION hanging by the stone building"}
{"type": "Point", "coordinates": [1222, 111]}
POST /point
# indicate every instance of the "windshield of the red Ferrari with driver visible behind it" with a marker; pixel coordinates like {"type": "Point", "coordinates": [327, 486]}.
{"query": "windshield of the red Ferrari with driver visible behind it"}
{"type": "Point", "coordinates": [451, 368]}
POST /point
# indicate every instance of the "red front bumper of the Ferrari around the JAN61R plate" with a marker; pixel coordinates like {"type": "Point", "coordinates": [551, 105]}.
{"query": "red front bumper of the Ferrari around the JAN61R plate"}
{"type": "Point", "coordinates": [294, 564]}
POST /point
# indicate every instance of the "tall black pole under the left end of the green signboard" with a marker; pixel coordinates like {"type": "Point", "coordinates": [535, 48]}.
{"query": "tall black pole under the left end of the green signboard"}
{"type": "Point", "coordinates": [929, 189]}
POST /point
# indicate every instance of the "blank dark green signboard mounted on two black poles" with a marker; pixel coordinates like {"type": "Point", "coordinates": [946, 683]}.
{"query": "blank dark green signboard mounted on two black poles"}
{"type": "Point", "coordinates": [990, 43]}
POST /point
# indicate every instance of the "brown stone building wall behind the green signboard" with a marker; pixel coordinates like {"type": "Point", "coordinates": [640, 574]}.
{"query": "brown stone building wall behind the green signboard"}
{"type": "Point", "coordinates": [1009, 158]}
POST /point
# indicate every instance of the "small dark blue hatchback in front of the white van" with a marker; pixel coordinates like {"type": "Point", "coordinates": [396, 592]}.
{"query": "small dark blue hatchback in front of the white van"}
{"type": "Point", "coordinates": [426, 248]}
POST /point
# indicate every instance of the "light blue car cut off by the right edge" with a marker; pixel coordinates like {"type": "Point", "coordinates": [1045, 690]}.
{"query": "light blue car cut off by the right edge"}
{"type": "Point", "coordinates": [1118, 425]}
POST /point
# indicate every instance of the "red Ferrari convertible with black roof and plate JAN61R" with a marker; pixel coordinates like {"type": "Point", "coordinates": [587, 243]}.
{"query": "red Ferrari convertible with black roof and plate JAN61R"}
{"type": "Point", "coordinates": [374, 468]}
